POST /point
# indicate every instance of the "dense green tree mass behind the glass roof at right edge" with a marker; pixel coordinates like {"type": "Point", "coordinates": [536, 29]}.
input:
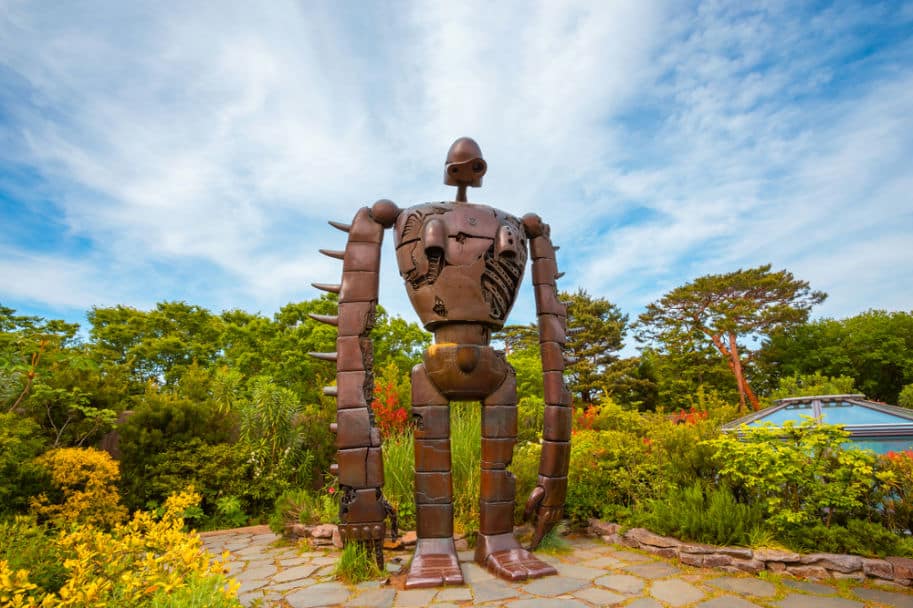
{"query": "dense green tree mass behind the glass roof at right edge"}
{"type": "Point", "coordinates": [874, 348]}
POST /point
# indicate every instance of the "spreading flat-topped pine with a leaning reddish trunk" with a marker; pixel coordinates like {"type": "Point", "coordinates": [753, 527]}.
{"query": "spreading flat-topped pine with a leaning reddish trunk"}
{"type": "Point", "coordinates": [745, 305]}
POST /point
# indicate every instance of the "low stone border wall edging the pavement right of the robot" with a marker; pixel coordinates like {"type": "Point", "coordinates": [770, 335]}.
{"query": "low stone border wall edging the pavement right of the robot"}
{"type": "Point", "coordinates": [741, 559]}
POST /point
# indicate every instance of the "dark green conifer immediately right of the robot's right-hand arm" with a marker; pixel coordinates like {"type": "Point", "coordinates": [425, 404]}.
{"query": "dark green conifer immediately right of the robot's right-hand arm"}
{"type": "Point", "coordinates": [596, 329]}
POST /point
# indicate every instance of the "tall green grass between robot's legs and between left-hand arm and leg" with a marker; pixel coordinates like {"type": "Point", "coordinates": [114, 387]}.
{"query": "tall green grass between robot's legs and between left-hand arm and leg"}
{"type": "Point", "coordinates": [465, 447]}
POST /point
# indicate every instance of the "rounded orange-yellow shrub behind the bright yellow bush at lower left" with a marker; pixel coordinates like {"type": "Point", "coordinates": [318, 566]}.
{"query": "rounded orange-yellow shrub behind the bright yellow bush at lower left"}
{"type": "Point", "coordinates": [83, 488]}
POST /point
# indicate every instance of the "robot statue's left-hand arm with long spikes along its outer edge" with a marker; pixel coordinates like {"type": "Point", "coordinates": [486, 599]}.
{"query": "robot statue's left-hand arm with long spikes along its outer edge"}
{"type": "Point", "coordinates": [359, 466]}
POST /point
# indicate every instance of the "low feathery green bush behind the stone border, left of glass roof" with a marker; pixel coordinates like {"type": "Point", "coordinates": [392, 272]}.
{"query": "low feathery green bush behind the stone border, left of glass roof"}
{"type": "Point", "coordinates": [691, 514]}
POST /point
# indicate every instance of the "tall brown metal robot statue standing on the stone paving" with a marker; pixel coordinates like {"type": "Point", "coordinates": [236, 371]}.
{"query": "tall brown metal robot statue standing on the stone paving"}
{"type": "Point", "coordinates": [462, 264]}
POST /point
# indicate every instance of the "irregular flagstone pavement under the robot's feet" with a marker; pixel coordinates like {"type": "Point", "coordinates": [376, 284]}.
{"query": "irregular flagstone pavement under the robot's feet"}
{"type": "Point", "coordinates": [276, 573]}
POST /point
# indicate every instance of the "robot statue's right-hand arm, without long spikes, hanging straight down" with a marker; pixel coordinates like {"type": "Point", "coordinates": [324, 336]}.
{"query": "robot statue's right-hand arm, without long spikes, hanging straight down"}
{"type": "Point", "coordinates": [546, 502]}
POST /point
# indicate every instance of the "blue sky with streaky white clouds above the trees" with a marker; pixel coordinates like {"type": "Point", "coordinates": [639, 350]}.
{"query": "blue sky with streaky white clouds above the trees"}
{"type": "Point", "coordinates": [194, 151]}
